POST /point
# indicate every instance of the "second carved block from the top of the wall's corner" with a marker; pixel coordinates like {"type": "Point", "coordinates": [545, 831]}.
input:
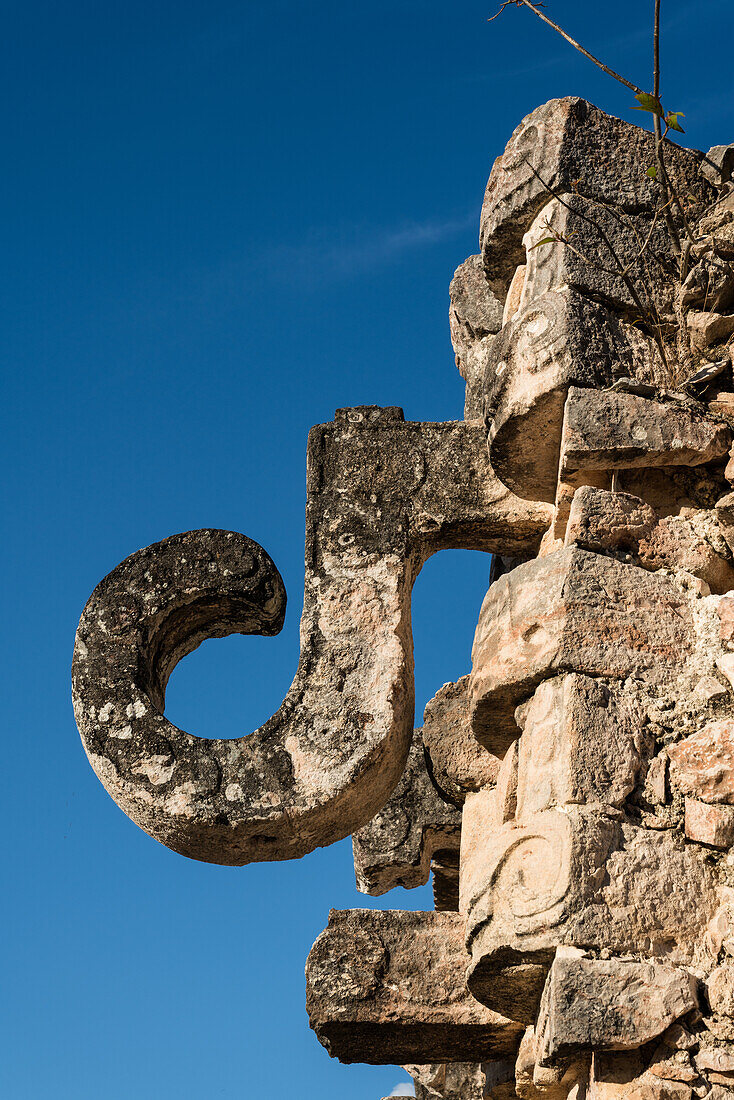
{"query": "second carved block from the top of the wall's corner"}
{"type": "Point", "coordinates": [596, 244]}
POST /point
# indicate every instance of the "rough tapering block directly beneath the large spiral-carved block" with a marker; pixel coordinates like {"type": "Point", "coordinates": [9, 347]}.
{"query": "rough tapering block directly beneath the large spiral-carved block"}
{"type": "Point", "coordinates": [608, 1005]}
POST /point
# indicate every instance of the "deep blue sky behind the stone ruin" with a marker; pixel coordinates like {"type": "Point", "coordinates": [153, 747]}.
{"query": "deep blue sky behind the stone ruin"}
{"type": "Point", "coordinates": [221, 222]}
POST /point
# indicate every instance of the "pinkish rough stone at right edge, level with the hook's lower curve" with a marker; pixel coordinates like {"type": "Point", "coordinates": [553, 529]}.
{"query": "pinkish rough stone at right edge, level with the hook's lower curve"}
{"type": "Point", "coordinates": [703, 765]}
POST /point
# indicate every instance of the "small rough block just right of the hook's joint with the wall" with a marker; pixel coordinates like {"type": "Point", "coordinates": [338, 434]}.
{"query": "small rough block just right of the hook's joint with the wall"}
{"type": "Point", "coordinates": [601, 521]}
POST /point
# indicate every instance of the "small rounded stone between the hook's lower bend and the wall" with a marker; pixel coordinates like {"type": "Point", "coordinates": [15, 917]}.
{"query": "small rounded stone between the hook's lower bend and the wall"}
{"type": "Point", "coordinates": [457, 763]}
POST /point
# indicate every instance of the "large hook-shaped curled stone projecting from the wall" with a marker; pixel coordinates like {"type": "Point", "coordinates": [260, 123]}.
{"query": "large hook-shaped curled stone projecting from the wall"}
{"type": "Point", "coordinates": [384, 496]}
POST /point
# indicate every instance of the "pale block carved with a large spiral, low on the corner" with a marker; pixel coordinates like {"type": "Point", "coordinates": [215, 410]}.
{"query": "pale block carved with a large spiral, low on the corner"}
{"type": "Point", "coordinates": [580, 876]}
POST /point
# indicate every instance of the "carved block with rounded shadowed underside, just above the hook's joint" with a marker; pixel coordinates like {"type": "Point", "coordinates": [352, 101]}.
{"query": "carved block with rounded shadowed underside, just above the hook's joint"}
{"type": "Point", "coordinates": [560, 340]}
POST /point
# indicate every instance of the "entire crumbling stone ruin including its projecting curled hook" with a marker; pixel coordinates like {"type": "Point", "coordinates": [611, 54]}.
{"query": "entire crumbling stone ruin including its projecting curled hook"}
{"type": "Point", "coordinates": [574, 795]}
